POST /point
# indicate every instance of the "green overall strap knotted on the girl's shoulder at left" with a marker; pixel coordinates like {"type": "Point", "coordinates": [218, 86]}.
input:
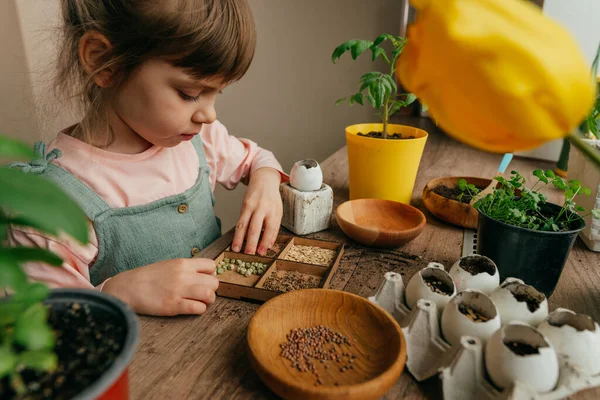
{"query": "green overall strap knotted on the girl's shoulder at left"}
{"type": "Point", "coordinates": [88, 200]}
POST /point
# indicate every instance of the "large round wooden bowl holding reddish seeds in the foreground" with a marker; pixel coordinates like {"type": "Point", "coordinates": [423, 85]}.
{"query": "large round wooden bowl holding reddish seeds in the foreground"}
{"type": "Point", "coordinates": [376, 340]}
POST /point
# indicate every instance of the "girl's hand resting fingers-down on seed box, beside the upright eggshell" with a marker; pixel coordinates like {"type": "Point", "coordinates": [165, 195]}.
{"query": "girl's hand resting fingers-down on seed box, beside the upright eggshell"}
{"type": "Point", "coordinates": [262, 208]}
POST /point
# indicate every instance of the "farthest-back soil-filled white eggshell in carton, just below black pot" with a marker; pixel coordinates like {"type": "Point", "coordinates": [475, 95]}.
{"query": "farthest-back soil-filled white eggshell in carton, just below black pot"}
{"type": "Point", "coordinates": [475, 272]}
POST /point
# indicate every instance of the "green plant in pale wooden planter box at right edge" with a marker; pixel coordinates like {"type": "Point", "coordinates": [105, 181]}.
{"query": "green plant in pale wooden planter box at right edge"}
{"type": "Point", "coordinates": [581, 169]}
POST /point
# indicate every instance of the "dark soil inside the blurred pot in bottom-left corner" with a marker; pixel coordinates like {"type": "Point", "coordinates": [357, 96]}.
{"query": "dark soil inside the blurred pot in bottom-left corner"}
{"type": "Point", "coordinates": [86, 346]}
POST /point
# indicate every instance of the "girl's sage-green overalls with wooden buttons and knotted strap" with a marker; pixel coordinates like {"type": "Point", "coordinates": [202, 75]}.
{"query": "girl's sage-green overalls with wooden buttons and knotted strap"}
{"type": "Point", "coordinates": [178, 226]}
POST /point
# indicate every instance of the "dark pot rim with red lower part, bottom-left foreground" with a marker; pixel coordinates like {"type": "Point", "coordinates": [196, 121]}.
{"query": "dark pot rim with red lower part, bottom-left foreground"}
{"type": "Point", "coordinates": [113, 384]}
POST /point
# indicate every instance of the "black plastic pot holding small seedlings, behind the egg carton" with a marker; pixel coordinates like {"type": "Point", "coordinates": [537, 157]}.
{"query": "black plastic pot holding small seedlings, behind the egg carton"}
{"type": "Point", "coordinates": [536, 257]}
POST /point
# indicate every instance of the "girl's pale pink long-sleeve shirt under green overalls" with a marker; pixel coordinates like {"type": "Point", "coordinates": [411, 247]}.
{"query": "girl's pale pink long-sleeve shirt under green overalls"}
{"type": "Point", "coordinates": [126, 180]}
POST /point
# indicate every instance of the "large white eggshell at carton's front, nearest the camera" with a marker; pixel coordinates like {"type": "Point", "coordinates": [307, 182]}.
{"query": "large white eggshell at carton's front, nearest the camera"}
{"type": "Point", "coordinates": [540, 369]}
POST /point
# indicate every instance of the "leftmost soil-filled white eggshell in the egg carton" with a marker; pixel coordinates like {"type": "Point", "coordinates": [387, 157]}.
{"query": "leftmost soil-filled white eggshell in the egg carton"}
{"type": "Point", "coordinates": [418, 289]}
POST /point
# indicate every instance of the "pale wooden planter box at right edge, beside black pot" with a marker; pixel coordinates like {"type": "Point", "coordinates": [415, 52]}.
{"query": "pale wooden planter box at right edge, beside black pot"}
{"type": "Point", "coordinates": [589, 176]}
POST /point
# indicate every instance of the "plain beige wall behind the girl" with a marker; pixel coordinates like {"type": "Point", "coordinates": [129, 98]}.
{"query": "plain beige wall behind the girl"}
{"type": "Point", "coordinates": [285, 102]}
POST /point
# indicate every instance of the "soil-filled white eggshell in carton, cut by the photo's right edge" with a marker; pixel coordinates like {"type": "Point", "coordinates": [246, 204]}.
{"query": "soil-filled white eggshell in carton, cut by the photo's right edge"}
{"type": "Point", "coordinates": [575, 336]}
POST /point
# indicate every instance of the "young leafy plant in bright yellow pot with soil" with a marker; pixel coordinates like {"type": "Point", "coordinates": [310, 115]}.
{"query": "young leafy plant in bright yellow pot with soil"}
{"type": "Point", "coordinates": [383, 158]}
